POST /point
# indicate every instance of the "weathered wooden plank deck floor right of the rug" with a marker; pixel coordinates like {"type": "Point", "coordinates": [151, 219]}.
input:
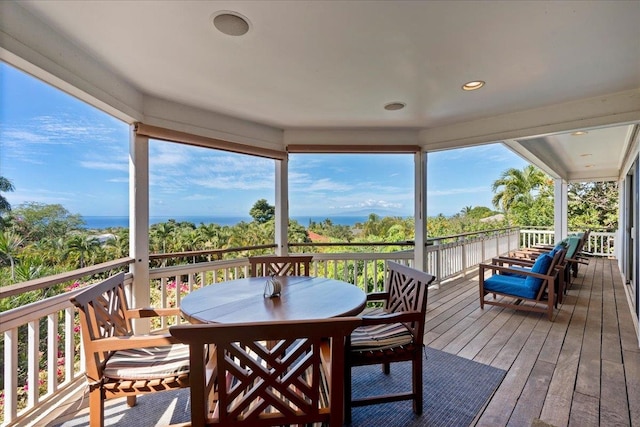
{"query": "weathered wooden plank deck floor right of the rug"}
{"type": "Point", "coordinates": [582, 369]}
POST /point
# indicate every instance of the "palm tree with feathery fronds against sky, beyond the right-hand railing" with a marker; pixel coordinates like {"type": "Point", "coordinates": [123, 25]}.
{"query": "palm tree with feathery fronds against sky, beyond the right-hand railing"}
{"type": "Point", "coordinates": [517, 186]}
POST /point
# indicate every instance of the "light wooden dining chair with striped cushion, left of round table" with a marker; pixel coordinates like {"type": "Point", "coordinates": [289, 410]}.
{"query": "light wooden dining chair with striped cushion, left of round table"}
{"type": "Point", "coordinates": [119, 363]}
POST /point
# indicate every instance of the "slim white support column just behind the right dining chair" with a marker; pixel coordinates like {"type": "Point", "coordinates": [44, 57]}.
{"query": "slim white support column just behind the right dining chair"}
{"type": "Point", "coordinates": [420, 210]}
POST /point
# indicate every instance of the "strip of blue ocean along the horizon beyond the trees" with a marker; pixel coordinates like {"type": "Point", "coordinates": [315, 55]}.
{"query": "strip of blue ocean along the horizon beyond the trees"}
{"type": "Point", "coordinates": [101, 222]}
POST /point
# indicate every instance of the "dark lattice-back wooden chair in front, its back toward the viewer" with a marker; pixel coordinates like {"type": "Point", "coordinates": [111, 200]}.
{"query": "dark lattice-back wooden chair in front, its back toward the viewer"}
{"type": "Point", "coordinates": [239, 381]}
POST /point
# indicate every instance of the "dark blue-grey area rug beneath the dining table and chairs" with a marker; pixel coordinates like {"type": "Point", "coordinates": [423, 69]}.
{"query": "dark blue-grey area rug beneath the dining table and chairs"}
{"type": "Point", "coordinates": [455, 390]}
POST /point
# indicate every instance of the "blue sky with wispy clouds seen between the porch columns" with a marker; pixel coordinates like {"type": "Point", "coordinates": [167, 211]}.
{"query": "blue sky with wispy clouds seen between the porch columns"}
{"type": "Point", "coordinates": [56, 149]}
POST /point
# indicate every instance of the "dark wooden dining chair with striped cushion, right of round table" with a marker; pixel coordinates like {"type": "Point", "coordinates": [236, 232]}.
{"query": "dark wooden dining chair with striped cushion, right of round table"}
{"type": "Point", "coordinates": [392, 333]}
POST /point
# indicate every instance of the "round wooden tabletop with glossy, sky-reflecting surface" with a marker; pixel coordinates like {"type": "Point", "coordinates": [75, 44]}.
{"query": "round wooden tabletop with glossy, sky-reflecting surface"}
{"type": "Point", "coordinates": [302, 298]}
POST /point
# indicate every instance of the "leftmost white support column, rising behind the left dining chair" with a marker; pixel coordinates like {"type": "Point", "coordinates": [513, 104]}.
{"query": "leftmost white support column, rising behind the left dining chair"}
{"type": "Point", "coordinates": [139, 224]}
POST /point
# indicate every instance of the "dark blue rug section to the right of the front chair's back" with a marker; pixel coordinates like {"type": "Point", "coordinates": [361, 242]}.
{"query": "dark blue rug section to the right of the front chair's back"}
{"type": "Point", "coordinates": [455, 390]}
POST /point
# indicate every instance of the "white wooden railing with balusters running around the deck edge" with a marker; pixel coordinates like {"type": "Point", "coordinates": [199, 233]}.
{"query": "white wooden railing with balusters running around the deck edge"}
{"type": "Point", "coordinates": [45, 333]}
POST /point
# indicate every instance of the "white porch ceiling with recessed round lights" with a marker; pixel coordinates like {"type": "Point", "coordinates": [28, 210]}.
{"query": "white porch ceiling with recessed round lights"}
{"type": "Point", "coordinates": [335, 64]}
